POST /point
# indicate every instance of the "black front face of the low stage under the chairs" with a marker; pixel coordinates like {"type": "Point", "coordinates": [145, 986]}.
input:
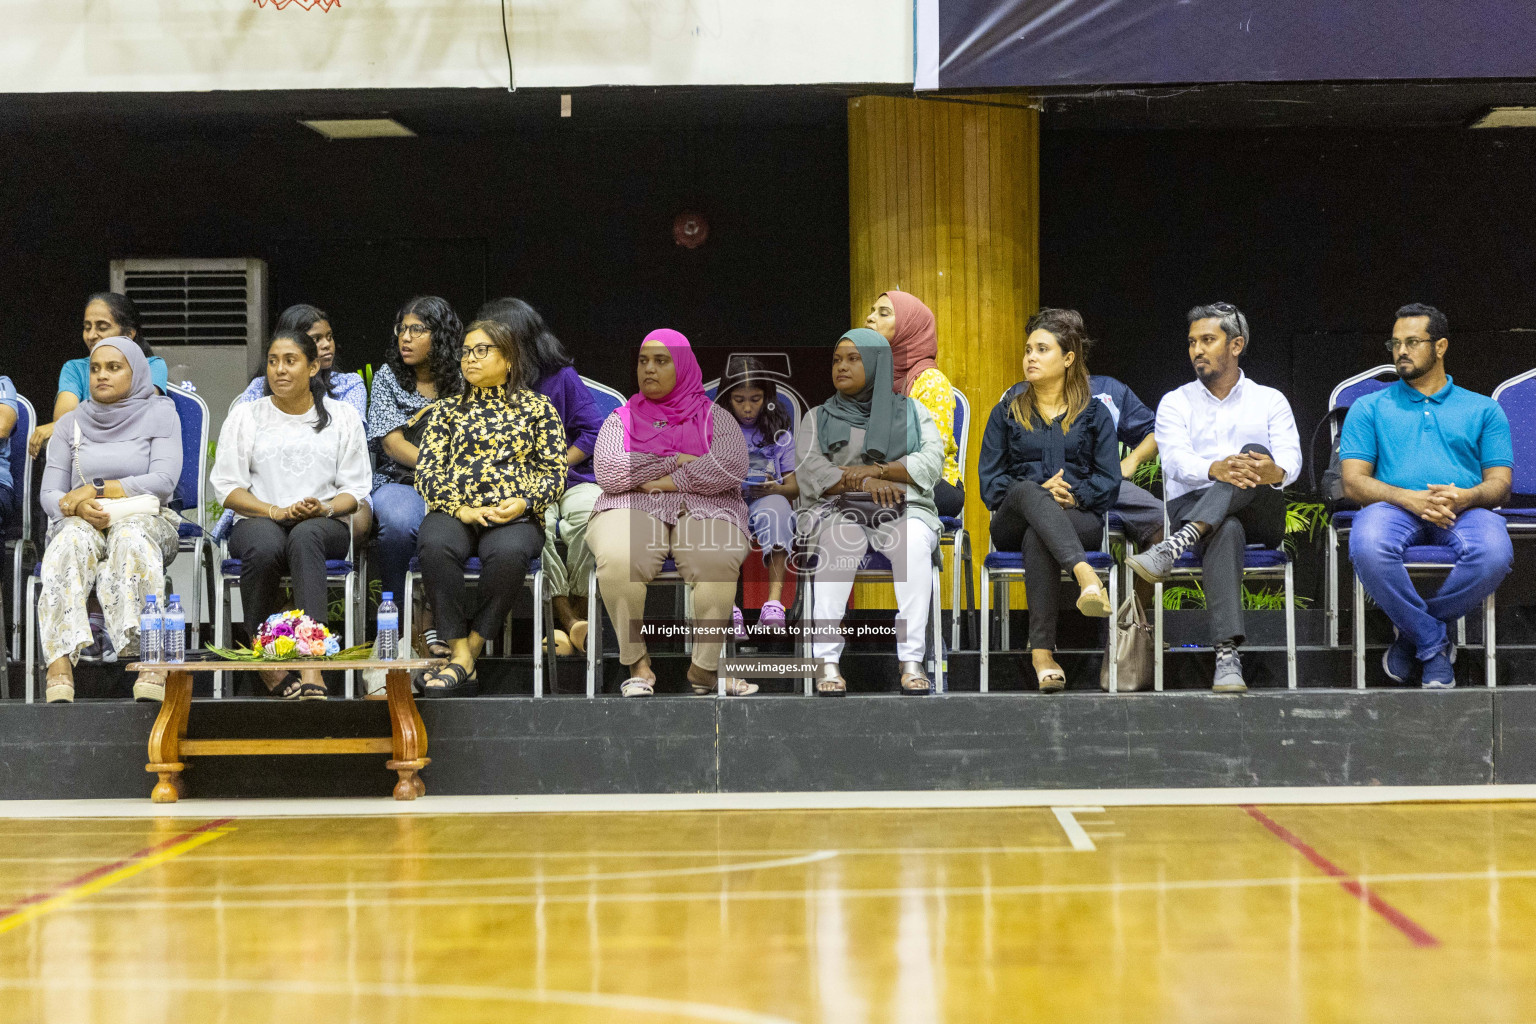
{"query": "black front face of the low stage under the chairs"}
{"type": "Point", "coordinates": [520, 745]}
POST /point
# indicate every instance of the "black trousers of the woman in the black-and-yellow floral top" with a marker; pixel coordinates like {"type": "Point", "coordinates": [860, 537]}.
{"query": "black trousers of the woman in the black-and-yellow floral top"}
{"type": "Point", "coordinates": [445, 546]}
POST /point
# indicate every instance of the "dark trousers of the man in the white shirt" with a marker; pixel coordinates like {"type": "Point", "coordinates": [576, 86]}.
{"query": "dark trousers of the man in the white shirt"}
{"type": "Point", "coordinates": [1237, 518]}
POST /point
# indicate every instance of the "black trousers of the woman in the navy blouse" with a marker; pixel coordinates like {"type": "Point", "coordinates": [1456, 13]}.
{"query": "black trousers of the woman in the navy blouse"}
{"type": "Point", "coordinates": [1051, 540]}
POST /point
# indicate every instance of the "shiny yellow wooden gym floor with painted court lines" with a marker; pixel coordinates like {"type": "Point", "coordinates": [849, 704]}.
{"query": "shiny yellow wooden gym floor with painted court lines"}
{"type": "Point", "coordinates": [1403, 914]}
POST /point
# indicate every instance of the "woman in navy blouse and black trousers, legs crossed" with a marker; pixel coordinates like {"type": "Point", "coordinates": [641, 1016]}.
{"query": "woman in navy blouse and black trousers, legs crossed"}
{"type": "Point", "coordinates": [1050, 474]}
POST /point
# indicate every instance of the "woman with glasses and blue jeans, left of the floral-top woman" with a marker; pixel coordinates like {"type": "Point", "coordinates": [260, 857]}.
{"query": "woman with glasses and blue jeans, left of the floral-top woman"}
{"type": "Point", "coordinates": [422, 368]}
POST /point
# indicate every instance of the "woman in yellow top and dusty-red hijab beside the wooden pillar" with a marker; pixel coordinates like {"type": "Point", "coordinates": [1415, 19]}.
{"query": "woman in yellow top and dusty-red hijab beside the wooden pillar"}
{"type": "Point", "coordinates": [902, 320]}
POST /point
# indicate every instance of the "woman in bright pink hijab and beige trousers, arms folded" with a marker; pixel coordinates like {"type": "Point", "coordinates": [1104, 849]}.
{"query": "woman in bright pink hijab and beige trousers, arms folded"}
{"type": "Point", "coordinates": [670, 464]}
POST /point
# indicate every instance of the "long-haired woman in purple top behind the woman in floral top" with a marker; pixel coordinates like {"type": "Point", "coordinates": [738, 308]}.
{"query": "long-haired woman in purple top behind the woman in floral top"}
{"type": "Point", "coordinates": [557, 378]}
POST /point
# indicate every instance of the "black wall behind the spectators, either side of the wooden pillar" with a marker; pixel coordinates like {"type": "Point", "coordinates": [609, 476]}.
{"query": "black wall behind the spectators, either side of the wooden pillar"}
{"type": "Point", "coordinates": [1317, 234]}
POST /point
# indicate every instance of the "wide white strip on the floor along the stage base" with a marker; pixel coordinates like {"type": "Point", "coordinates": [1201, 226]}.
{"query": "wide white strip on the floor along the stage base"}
{"type": "Point", "coordinates": [881, 801]}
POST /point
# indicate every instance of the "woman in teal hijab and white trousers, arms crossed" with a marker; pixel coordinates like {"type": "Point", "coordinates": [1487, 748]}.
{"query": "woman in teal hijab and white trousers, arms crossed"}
{"type": "Point", "coordinates": [872, 448]}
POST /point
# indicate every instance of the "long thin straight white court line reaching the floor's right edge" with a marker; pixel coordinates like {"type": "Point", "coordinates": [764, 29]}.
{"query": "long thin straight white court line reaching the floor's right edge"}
{"type": "Point", "coordinates": [769, 896]}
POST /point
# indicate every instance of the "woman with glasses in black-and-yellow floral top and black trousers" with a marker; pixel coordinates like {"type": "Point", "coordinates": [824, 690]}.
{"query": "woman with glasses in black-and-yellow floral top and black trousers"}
{"type": "Point", "coordinates": [492, 461]}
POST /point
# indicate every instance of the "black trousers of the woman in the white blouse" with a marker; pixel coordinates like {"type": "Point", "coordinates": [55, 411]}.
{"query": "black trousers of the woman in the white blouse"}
{"type": "Point", "coordinates": [271, 550]}
